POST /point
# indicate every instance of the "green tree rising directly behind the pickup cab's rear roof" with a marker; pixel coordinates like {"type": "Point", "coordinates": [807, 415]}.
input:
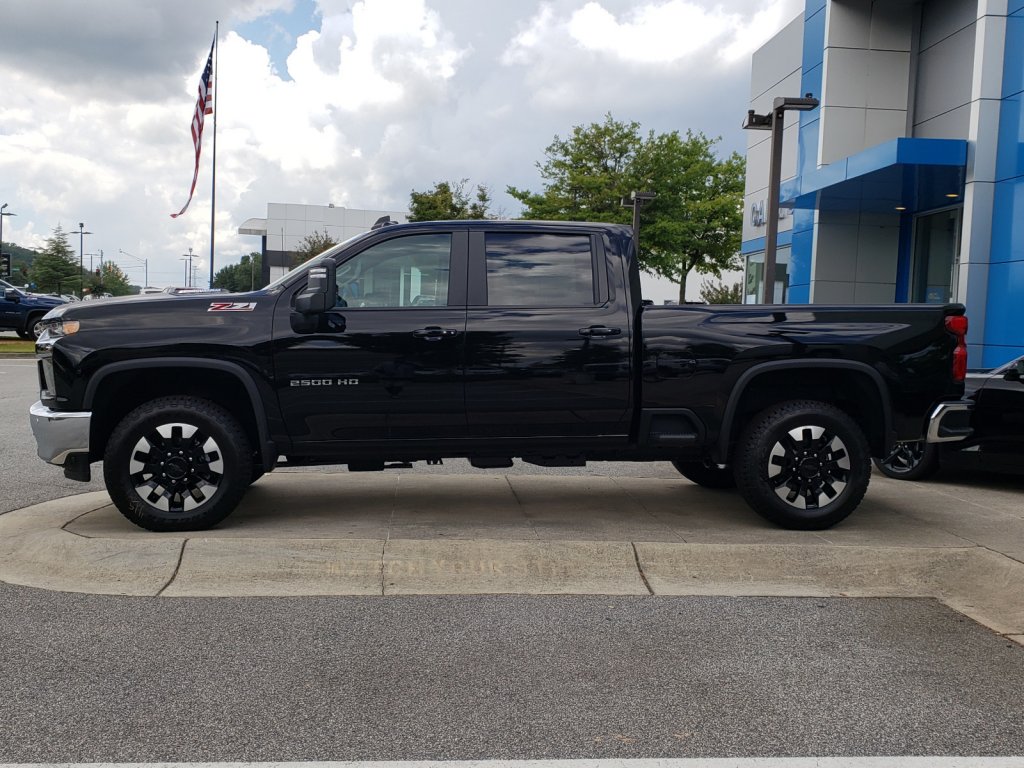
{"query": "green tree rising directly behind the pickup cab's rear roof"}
{"type": "Point", "coordinates": [587, 175]}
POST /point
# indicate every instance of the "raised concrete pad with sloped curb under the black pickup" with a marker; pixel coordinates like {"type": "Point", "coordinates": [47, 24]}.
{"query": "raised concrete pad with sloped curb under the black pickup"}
{"type": "Point", "coordinates": [386, 534]}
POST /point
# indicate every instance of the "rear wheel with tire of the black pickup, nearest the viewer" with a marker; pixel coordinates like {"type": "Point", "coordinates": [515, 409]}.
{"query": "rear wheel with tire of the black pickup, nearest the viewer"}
{"type": "Point", "coordinates": [803, 465]}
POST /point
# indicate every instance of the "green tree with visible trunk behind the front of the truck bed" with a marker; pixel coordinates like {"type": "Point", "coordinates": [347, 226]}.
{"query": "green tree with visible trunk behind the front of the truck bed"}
{"type": "Point", "coordinates": [695, 222]}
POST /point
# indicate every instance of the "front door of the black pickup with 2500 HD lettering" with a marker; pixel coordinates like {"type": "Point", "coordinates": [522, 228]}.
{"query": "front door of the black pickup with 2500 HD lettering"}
{"type": "Point", "coordinates": [389, 363]}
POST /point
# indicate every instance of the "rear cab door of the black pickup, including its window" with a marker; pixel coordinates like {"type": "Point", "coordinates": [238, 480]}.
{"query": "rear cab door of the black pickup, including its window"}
{"type": "Point", "coordinates": [547, 344]}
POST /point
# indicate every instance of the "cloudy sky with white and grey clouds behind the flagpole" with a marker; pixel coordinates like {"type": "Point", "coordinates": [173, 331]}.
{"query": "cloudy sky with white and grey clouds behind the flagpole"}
{"type": "Point", "coordinates": [354, 103]}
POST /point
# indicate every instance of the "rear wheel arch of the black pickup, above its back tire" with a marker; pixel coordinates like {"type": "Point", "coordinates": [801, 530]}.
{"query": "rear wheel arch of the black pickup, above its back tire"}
{"type": "Point", "coordinates": [856, 388]}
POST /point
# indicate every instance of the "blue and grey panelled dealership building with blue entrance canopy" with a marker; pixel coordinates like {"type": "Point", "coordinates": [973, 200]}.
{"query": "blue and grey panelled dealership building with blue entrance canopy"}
{"type": "Point", "coordinates": [907, 183]}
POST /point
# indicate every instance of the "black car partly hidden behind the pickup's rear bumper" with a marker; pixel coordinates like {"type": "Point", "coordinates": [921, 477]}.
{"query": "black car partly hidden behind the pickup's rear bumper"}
{"type": "Point", "coordinates": [998, 442]}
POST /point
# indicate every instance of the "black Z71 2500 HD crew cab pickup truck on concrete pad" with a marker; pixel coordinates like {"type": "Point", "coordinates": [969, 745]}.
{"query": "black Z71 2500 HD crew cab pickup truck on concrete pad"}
{"type": "Point", "coordinates": [488, 340]}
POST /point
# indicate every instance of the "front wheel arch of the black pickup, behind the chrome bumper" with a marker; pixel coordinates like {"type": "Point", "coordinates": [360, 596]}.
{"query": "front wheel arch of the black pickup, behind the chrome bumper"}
{"type": "Point", "coordinates": [118, 389]}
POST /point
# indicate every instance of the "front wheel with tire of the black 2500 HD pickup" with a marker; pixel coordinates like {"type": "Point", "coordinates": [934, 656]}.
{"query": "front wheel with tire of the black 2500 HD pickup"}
{"type": "Point", "coordinates": [178, 464]}
